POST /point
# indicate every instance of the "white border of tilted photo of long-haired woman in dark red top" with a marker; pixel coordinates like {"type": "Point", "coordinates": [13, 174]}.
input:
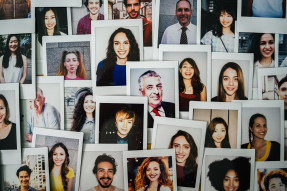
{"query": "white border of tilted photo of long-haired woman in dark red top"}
{"type": "Point", "coordinates": [185, 125]}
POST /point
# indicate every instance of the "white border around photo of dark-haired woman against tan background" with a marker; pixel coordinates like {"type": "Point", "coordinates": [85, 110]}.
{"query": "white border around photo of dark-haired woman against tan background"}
{"type": "Point", "coordinates": [219, 106]}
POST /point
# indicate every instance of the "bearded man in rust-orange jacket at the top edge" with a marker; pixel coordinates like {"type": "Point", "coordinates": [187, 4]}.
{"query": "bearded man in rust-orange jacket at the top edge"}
{"type": "Point", "coordinates": [133, 8]}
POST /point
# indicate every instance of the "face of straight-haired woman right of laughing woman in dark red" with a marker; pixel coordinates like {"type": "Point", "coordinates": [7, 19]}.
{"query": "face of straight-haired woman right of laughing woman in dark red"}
{"type": "Point", "coordinates": [230, 81]}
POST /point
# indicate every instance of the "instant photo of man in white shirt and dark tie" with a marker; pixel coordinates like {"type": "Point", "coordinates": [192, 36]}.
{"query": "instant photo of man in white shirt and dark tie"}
{"type": "Point", "coordinates": [176, 22]}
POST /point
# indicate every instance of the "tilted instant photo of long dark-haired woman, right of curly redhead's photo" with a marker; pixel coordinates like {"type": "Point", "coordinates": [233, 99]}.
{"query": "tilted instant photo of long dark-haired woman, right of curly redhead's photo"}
{"type": "Point", "coordinates": [187, 138]}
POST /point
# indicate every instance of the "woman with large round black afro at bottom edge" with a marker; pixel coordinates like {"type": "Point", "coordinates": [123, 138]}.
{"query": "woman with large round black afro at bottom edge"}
{"type": "Point", "coordinates": [226, 175]}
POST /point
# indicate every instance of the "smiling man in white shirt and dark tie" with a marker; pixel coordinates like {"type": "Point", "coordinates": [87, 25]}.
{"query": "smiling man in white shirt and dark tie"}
{"type": "Point", "coordinates": [182, 32]}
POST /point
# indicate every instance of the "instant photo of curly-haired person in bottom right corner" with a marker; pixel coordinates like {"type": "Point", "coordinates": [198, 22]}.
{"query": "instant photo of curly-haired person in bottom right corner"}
{"type": "Point", "coordinates": [270, 176]}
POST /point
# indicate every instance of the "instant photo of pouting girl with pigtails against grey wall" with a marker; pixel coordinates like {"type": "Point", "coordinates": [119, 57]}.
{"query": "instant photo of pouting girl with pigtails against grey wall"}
{"type": "Point", "coordinates": [67, 56]}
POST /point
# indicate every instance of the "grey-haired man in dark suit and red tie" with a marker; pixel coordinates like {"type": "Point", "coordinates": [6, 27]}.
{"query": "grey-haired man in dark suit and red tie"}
{"type": "Point", "coordinates": [150, 85]}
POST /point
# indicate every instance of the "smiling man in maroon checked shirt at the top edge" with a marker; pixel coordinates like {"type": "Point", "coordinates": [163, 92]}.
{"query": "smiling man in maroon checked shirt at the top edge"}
{"type": "Point", "coordinates": [93, 6]}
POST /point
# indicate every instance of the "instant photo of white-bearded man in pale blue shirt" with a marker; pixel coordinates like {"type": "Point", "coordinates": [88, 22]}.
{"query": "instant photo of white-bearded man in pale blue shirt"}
{"type": "Point", "coordinates": [46, 110]}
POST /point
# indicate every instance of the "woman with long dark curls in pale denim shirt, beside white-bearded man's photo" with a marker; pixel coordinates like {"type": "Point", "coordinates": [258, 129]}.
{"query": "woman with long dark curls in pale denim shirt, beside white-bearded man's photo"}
{"type": "Point", "coordinates": [84, 116]}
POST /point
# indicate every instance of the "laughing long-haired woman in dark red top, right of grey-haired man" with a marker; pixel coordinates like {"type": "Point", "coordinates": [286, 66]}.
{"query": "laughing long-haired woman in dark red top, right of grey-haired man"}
{"type": "Point", "coordinates": [190, 86]}
